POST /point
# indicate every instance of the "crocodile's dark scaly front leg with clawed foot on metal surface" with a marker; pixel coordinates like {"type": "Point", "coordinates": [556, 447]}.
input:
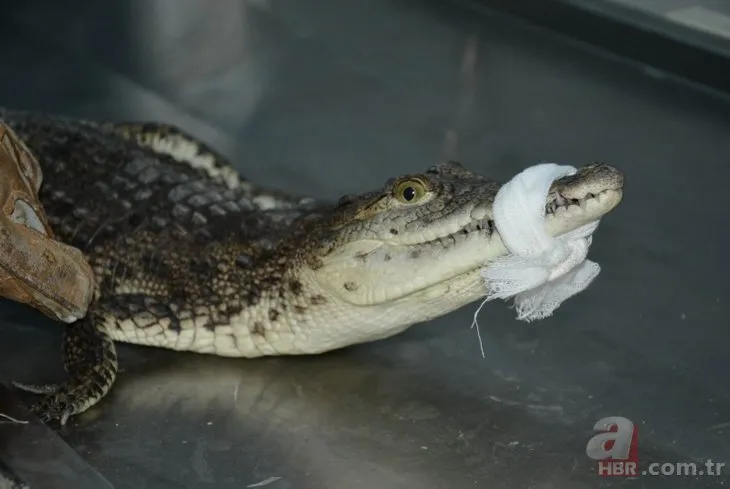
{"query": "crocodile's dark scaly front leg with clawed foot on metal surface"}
{"type": "Point", "coordinates": [90, 361]}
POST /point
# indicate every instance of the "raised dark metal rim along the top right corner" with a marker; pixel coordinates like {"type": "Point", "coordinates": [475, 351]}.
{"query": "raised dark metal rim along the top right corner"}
{"type": "Point", "coordinates": [654, 43]}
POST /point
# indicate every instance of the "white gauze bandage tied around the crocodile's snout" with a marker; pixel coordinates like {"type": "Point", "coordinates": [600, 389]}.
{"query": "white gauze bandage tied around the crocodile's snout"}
{"type": "Point", "coordinates": [541, 271]}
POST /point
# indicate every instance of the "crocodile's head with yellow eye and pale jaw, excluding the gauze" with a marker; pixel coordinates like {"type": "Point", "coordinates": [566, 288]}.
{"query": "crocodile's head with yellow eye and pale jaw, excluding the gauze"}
{"type": "Point", "coordinates": [413, 249]}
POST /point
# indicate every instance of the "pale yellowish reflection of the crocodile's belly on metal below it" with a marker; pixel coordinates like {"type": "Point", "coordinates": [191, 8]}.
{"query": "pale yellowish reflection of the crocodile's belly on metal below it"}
{"type": "Point", "coordinates": [332, 420]}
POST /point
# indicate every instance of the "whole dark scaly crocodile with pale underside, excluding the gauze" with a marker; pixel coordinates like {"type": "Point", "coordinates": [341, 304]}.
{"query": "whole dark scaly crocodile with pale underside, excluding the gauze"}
{"type": "Point", "coordinates": [188, 255]}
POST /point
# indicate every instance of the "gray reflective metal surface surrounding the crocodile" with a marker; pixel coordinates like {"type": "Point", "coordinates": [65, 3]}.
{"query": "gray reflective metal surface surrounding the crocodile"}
{"type": "Point", "coordinates": [329, 97]}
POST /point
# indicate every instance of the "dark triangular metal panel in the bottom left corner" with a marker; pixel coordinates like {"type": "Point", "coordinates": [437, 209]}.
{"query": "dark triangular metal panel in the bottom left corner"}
{"type": "Point", "coordinates": [36, 455]}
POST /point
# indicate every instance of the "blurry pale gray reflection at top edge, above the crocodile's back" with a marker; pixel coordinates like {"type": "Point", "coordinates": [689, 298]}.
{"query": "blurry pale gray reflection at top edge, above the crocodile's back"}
{"type": "Point", "coordinates": [198, 51]}
